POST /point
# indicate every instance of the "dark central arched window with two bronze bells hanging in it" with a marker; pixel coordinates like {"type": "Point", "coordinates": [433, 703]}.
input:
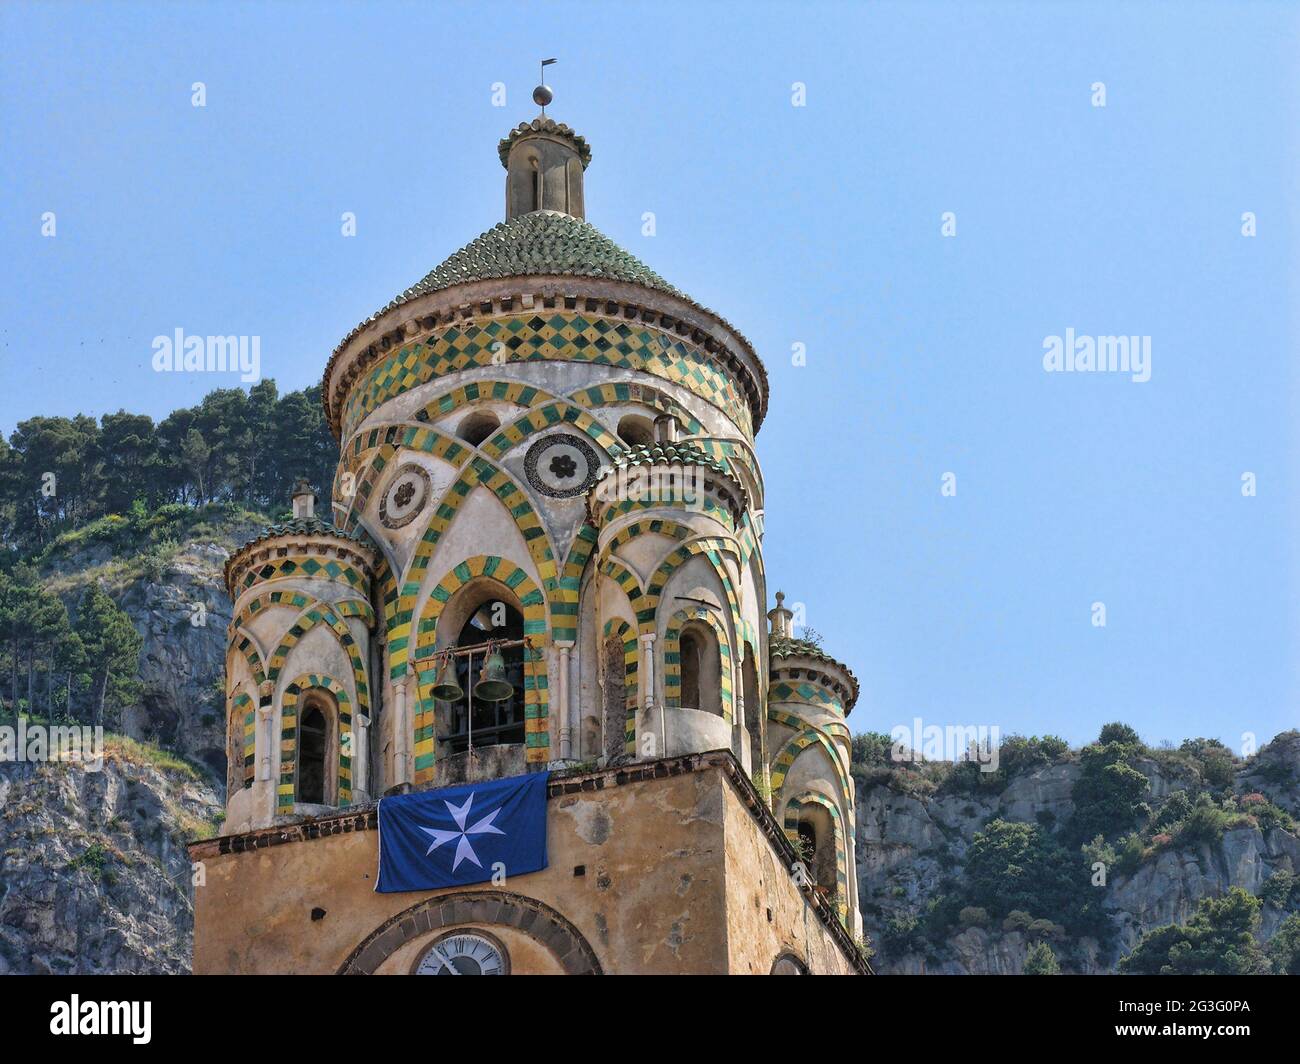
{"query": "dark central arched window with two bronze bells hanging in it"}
{"type": "Point", "coordinates": [495, 724]}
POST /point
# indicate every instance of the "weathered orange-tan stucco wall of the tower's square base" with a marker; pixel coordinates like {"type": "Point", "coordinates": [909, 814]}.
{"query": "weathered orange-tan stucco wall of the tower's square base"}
{"type": "Point", "coordinates": [678, 879]}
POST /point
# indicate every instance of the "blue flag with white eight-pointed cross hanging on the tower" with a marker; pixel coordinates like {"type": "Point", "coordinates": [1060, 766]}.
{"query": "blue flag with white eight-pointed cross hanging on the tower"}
{"type": "Point", "coordinates": [457, 836]}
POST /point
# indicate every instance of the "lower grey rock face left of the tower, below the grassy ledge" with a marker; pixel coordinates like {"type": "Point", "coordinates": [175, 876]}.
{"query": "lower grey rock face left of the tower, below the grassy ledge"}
{"type": "Point", "coordinates": [94, 873]}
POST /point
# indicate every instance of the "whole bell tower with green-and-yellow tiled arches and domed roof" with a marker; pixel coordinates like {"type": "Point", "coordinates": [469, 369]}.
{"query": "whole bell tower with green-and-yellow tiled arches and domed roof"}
{"type": "Point", "coordinates": [543, 552]}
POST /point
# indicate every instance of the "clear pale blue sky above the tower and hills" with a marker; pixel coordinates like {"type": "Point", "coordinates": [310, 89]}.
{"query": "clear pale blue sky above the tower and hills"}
{"type": "Point", "coordinates": [818, 226]}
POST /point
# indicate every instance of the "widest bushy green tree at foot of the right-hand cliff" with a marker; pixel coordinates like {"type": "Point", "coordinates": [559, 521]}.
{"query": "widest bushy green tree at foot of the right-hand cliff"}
{"type": "Point", "coordinates": [1217, 941]}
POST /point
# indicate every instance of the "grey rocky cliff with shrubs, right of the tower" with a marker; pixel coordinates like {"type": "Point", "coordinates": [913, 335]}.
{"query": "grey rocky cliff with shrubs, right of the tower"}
{"type": "Point", "coordinates": [913, 845]}
